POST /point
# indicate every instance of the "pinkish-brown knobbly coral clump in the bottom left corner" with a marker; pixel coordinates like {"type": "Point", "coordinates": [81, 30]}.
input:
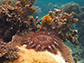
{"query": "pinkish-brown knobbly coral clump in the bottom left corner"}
{"type": "Point", "coordinates": [8, 52]}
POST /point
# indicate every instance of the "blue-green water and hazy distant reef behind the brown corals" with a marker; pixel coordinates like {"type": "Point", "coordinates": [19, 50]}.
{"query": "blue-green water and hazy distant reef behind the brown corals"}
{"type": "Point", "coordinates": [77, 51]}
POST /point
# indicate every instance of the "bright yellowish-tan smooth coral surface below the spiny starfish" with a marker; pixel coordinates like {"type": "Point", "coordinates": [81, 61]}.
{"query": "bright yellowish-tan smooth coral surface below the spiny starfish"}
{"type": "Point", "coordinates": [31, 56]}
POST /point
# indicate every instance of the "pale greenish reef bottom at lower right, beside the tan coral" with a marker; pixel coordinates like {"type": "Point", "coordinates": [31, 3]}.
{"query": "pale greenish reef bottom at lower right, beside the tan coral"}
{"type": "Point", "coordinates": [76, 51]}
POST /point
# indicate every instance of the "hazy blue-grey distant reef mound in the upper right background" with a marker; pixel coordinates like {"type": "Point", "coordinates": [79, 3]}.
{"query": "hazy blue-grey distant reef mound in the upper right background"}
{"type": "Point", "coordinates": [79, 13]}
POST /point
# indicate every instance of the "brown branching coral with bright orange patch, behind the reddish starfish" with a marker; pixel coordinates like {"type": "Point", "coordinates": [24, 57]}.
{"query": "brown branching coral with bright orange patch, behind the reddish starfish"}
{"type": "Point", "coordinates": [60, 23]}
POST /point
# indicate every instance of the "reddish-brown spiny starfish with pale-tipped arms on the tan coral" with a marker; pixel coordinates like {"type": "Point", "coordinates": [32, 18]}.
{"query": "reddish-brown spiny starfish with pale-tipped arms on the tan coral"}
{"type": "Point", "coordinates": [42, 41]}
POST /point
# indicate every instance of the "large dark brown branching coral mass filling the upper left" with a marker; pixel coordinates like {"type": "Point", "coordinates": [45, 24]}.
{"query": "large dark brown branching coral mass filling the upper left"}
{"type": "Point", "coordinates": [13, 20]}
